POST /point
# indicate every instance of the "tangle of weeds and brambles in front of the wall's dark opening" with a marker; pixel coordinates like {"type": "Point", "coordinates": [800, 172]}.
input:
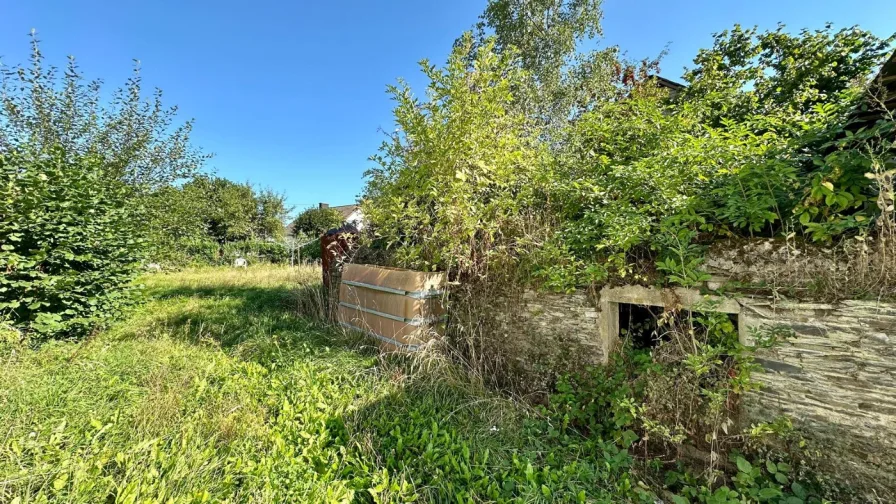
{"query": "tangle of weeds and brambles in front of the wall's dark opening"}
{"type": "Point", "coordinates": [680, 400]}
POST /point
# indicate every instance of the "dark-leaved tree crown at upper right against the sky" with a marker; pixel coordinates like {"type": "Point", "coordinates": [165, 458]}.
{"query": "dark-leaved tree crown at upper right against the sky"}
{"type": "Point", "coordinates": [747, 72]}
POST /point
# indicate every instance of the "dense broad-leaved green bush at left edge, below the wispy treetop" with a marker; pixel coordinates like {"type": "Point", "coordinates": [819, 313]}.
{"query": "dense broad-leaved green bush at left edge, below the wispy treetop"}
{"type": "Point", "coordinates": [70, 242]}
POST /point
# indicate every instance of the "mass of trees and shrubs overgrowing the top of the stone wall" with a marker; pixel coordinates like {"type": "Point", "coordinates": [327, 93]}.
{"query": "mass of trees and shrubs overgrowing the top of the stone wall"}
{"type": "Point", "coordinates": [636, 178]}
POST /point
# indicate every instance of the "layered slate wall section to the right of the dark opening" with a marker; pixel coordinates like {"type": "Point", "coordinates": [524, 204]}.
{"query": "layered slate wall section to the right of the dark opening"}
{"type": "Point", "coordinates": [837, 380]}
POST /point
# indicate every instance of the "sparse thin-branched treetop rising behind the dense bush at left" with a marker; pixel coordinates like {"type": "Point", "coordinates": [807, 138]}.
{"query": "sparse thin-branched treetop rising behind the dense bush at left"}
{"type": "Point", "coordinates": [138, 140]}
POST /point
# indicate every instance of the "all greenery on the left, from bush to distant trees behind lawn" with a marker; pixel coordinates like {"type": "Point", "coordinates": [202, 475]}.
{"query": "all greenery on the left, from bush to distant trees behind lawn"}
{"type": "Point", "coordinates": [94, 187]}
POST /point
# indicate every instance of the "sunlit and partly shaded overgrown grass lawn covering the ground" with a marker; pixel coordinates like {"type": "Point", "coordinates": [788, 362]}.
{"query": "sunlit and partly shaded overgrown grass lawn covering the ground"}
{"type": "Point", "coordinates": [215, 390]}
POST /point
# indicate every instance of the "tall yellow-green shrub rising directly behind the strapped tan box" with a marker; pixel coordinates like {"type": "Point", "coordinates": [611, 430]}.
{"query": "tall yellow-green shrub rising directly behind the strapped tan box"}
{"type": "Point", "coordinates": [463, 166]}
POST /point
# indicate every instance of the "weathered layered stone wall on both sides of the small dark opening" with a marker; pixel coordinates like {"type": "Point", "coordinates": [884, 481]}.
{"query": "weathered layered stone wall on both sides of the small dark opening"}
{"type": "Point", "coordinates": [836, 379]}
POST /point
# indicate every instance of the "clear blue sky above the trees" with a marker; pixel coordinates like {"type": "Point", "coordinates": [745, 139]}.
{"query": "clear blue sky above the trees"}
{"type": "Point", "coordinates": [291, 95]}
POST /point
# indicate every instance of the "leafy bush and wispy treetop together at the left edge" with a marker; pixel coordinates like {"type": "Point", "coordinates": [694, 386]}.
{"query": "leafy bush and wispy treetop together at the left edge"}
{"type": "Point", "coordinates": [76, 173]}
